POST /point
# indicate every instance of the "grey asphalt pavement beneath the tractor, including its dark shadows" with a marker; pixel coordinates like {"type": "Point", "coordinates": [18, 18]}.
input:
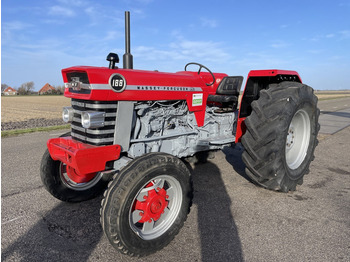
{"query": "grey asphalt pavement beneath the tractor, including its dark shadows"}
{"type": "Point", "coordinates": [231, 219]}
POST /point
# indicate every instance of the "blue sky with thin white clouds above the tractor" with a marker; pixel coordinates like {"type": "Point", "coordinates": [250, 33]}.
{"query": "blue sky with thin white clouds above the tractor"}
{"type": "Point", "coordinates": [39, 38]}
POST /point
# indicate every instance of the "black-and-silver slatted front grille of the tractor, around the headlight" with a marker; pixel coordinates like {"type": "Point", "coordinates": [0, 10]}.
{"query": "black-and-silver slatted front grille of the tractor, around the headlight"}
{"type": "Point", "coordinates": [94, 136]}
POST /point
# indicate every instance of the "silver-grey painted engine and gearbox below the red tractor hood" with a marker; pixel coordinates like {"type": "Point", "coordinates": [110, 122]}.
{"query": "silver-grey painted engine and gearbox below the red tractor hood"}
{"type": "Point", "coordinates": [170, 127]}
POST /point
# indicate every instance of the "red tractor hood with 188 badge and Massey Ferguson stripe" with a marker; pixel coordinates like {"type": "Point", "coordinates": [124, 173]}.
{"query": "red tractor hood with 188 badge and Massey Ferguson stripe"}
{"type": "Point", "coordinates": [104, 84]}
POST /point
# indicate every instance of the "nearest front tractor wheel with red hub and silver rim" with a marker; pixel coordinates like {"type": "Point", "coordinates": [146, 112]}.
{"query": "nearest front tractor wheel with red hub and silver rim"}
{"type": "Point", "coordinates": [146, 204]}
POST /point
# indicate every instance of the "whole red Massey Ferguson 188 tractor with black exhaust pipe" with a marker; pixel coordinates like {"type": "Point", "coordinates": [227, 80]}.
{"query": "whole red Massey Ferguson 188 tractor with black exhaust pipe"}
{"type": "Point", "coordinates": [132, 129]}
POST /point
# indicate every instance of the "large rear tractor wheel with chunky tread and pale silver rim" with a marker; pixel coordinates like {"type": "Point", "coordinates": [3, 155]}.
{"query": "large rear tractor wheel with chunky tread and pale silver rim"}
{"type": "Point", "coordinates": [281, 136]}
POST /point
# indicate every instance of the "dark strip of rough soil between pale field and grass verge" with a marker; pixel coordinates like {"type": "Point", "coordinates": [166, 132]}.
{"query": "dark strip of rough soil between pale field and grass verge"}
{"type": "Point", "coordinates": [31, 123]}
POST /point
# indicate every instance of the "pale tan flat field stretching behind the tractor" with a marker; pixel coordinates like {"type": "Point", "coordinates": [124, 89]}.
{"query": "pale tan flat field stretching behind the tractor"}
{"type": "Point", "coordinates": [21, 108]}
